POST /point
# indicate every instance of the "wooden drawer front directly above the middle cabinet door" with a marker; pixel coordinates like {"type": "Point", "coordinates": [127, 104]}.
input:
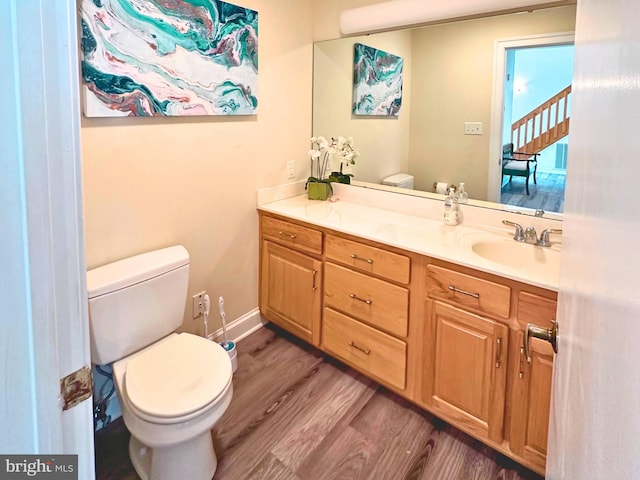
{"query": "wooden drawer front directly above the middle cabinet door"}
{"type": "Point", "coordinates": [468, 291]}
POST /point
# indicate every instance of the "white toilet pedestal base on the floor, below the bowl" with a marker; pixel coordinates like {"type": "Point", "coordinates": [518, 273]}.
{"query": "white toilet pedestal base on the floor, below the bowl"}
{"type": "Point", "coordinates": [194, 459]}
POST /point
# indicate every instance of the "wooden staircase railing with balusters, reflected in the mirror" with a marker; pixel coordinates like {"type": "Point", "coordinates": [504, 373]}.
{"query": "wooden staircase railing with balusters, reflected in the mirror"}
{"type": "Point", "coordinates": [544, 125]}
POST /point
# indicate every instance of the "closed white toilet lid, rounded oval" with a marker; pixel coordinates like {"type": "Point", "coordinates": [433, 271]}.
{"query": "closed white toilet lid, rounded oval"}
{"type": "Point", "coordinates": [178, 376]}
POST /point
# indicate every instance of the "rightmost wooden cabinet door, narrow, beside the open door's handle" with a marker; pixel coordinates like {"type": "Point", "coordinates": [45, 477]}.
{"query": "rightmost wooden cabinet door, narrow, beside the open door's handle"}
{"type": "Point", "coordinates": [531, 403]}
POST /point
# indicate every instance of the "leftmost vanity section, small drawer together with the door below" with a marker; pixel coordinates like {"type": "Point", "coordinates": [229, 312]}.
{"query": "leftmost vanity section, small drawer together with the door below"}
{"type": "Point", "coordinates": [290, 280]}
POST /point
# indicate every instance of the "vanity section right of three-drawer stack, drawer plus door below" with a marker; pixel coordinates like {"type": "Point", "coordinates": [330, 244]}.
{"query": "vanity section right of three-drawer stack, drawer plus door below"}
{"type": "Point", "coordinates": [465, 371]}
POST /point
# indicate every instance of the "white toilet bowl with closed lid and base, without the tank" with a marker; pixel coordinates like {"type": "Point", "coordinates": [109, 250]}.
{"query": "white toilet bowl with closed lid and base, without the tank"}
{"type": "Point", "coordinates": [170, 407]}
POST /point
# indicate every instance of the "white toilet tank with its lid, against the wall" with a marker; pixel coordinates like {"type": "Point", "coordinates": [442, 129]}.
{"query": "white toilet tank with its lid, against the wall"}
{"type": "Point", "coordinates": [136, 301]}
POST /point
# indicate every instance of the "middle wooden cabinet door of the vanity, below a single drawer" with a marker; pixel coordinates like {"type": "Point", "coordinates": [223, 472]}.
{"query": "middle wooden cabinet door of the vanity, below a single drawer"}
{"type": "Point", "coordinates": [465, 375]}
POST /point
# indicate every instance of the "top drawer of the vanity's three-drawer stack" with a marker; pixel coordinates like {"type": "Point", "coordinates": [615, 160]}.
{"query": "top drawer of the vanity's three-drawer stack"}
{"type": "Point", "coordinates": [369, 259]}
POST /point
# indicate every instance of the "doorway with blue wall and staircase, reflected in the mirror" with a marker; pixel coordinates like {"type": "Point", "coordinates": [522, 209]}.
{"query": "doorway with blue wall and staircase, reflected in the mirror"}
{"type": "Point", "coordinates": [531, 72]}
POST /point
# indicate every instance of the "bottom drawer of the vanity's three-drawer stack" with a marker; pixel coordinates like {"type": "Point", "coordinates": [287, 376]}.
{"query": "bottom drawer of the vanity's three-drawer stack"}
{"type": "Point", "coordinates": [374, 353]}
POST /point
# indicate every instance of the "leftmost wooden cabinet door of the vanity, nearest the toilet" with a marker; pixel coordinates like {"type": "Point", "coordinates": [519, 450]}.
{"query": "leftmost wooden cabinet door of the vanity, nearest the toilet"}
{"type": "Point", "coordinates": [291, 291]}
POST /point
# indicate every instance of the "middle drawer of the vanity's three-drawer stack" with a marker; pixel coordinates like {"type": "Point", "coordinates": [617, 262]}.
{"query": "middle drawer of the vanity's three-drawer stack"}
{"type": "Point", "coordinates": [369, 299]}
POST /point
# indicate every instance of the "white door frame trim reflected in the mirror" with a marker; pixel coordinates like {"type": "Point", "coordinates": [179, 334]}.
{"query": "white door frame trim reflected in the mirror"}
{"type": "Point", "coordinates": [494, 180]}
